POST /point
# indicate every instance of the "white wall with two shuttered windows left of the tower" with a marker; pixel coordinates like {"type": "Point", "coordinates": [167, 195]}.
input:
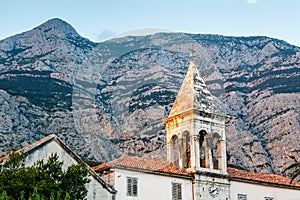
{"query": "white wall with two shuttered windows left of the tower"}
{"type": "Point", "coordinates": [150, 186]}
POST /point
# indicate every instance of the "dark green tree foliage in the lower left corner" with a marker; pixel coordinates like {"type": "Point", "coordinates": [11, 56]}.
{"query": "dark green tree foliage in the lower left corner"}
{"type": "Point", "coordinates": [41, 180]}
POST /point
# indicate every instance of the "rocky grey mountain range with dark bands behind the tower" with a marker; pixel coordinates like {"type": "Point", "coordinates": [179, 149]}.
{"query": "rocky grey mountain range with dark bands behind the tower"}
{"type": "Point", "coordinates": [108, 99]}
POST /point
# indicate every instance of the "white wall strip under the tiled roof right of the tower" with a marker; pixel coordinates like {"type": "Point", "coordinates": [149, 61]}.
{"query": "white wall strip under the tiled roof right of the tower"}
{"type": "Point", "coordinates": [259, 192]}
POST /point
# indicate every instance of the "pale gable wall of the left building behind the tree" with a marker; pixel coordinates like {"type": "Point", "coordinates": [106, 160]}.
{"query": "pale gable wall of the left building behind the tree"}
{"type": "Point", "coordinates": [95, 189]}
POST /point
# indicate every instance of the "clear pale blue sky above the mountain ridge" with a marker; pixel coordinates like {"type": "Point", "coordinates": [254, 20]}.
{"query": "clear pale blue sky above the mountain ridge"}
{"type": "Point", "coordinates": [100, 19]}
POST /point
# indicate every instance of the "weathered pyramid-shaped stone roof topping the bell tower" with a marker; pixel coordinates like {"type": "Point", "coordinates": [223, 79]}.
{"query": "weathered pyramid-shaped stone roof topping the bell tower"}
{"type": "Point", "coordinates": [193, 94]}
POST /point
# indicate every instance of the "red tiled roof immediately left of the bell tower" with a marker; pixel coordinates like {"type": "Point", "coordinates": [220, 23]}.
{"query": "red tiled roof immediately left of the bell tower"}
{"type": "Point", "coordinates": [148, 164]}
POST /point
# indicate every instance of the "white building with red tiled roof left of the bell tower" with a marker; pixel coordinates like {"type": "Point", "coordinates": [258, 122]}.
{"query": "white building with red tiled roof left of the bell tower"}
{"type": "Point", "coordinates": [146, 179]}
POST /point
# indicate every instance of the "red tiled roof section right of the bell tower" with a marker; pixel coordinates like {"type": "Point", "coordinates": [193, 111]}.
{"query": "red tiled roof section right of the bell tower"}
{"type": "Point", "coordinates": [259, 177]}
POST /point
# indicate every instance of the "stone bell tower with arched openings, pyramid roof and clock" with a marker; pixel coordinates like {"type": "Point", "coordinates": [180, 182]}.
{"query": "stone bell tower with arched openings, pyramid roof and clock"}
{"type": "Point", "coordinates": [196, 139]}
